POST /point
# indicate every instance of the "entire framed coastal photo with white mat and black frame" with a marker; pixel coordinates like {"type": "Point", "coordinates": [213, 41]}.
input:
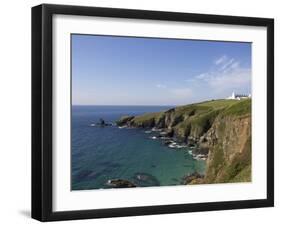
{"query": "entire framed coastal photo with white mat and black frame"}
{"type": "Point", "coordinates": [145, 112]}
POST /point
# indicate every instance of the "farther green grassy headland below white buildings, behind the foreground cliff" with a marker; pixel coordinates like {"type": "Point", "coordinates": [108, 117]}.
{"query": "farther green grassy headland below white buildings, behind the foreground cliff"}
{"type": "Point", "coordinates": [189, 121]}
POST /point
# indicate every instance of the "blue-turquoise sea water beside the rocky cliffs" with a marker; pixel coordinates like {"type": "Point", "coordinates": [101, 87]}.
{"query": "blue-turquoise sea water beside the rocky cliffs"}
{"type": "Point", "coordinates": [103, 153]}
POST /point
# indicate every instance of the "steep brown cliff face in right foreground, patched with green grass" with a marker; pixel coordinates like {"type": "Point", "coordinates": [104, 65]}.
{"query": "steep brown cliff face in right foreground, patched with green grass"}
{"type": "Point", "coordinates": [229, 157]}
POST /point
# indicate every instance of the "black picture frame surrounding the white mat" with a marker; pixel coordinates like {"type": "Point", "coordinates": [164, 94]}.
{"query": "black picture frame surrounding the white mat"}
{"type": "Point", "coordinates": [42, 111]}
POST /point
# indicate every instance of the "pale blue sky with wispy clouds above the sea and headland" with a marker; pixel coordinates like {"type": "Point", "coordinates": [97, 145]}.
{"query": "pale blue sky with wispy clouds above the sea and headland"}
{"type": "Point", "coordinates": [109, 70]}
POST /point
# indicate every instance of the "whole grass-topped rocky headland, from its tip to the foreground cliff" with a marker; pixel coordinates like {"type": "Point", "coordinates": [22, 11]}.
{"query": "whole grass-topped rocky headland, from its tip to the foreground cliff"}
{"type": "Point", "coordinates": [221, 129]}
